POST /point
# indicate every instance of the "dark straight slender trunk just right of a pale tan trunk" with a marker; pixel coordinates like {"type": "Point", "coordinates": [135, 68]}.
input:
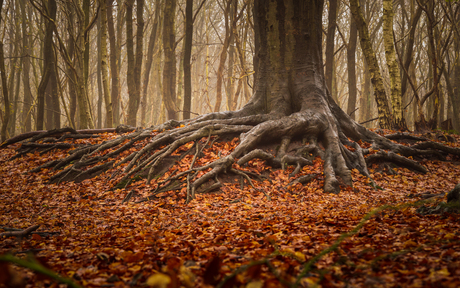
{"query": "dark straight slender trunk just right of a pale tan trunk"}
{"type": "Point", "coordinates": [187, 59]}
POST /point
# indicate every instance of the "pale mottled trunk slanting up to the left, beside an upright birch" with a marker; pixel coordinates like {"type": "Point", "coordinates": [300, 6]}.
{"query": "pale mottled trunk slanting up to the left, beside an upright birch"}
{"type": "Point", "coordinates": [384, 114]}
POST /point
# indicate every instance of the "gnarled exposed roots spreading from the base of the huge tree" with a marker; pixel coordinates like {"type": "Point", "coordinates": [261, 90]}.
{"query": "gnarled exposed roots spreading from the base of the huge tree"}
{"type": "Point", "coordinates": [338, 143]}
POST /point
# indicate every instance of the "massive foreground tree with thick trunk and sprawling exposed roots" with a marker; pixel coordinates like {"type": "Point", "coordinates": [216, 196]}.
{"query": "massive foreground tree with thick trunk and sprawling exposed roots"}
{"type": "Point", "coordinates": [290, 104]}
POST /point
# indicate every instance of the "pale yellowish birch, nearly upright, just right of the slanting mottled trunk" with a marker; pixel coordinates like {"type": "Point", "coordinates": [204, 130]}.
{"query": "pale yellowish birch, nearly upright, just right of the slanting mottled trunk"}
{"type": "Point", "coordinates": [399, 121]}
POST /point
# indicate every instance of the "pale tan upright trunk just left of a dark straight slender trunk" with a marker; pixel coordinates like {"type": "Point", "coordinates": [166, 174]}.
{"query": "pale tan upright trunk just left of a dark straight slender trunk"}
{"type": "Point", "coordinates": [169, 68]}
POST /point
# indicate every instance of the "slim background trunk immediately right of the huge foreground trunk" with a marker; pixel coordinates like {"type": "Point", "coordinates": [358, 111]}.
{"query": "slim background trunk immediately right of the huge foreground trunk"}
{"type": "Point", "coordinates": [330, 38]}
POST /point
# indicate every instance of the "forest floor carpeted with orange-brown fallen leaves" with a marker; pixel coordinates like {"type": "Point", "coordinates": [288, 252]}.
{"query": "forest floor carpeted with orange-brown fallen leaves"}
{"type": "Point", "coordinates": [96, 240]}
